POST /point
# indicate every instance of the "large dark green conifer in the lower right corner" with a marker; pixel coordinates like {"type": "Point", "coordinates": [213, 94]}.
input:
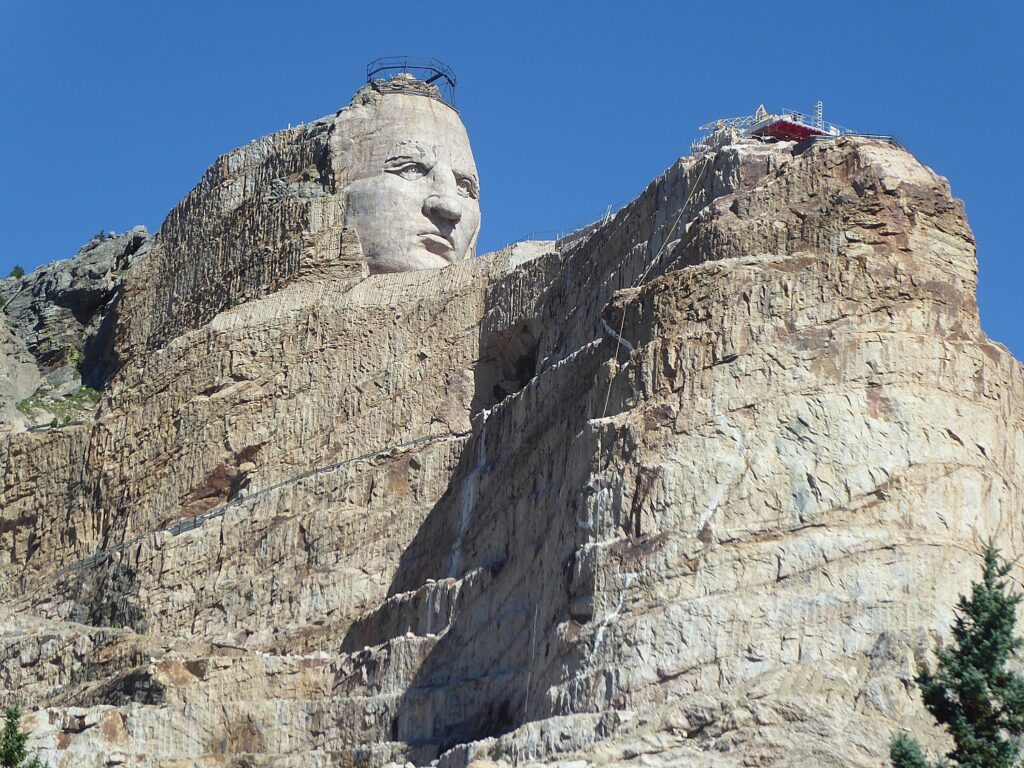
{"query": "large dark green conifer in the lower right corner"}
{"type": "Point", "coordinates": [972, 694]}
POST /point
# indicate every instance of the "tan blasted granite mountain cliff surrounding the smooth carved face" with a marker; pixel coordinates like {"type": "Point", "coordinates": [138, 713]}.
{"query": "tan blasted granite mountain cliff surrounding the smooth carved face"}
{"type": "Point", "coordinates": [697, 488]}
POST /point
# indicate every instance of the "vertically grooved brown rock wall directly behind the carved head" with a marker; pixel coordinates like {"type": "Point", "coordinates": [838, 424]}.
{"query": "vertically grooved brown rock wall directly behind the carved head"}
{"type": "Point", "coordinates": [254, 218]}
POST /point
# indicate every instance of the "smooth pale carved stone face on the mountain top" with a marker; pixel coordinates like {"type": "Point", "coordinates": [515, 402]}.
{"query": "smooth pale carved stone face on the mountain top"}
{"type": "Point", "coordinates": [413, 194]}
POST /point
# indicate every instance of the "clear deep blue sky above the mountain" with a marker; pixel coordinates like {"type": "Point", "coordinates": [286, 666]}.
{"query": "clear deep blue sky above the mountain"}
{"type": "Point", "coordinates": [112, 111]}
